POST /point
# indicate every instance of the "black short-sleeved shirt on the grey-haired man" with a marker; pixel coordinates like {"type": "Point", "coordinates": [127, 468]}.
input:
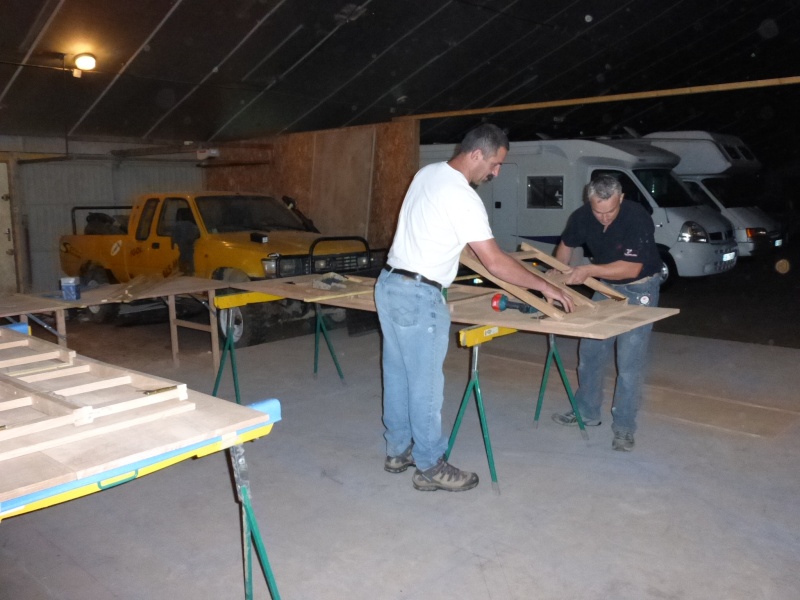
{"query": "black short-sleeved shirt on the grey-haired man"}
{"type": "Point", "coordinates": [629, 237]}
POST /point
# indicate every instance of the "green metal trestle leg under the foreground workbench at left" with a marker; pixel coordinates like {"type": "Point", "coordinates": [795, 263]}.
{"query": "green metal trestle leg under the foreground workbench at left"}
{"type": "Point", "coordinates": [250, 530]}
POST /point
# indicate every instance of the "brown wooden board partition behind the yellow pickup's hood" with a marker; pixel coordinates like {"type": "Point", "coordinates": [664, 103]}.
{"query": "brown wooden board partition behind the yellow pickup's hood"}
{"type": "Point", "coordinates": [368, 186]}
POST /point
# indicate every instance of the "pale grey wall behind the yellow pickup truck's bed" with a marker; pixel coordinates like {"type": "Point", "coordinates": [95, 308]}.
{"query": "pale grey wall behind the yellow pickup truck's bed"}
{"type": "Point", "coordinates": [46, 191]}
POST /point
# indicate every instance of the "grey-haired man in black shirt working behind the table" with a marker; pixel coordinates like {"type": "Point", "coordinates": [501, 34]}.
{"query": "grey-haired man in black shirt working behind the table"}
{"type": "Point", "coordinates": [619, 237]}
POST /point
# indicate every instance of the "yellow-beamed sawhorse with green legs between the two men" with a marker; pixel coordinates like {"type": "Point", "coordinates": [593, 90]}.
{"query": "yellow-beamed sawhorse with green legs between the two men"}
{"type": "Point", "coordinates": [473, 337]}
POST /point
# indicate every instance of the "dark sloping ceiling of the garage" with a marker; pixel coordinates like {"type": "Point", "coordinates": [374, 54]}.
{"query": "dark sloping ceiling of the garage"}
{"type": "Point", "coordinates": [217, 70]}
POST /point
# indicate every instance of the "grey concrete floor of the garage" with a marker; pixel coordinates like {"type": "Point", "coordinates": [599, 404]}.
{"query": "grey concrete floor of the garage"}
{"type": "Point", "coordinates": [705, 507]}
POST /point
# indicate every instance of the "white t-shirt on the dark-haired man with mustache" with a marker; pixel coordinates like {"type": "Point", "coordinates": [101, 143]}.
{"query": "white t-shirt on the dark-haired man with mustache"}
{"type": "Point", "coordinates": [441, 214]}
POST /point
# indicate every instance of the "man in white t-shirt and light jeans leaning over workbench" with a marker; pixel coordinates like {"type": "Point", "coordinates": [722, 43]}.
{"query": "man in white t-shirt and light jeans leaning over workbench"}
{"type": "Point", "coordinates": [441, 214]}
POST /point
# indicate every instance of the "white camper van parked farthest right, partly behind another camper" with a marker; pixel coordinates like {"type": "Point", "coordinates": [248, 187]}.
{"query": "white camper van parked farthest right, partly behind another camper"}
{"type": "Point", "coordinates": [720, 170]}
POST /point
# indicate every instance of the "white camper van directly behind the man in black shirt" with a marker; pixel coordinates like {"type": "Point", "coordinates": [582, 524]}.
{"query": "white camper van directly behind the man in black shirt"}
{"type": "Point", "coordinates": [542, 182]}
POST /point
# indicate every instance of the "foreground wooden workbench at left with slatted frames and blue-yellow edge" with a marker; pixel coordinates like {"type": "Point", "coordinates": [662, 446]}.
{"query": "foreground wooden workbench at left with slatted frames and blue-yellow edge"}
{"type": "Point", "coordinates": [70, 425]}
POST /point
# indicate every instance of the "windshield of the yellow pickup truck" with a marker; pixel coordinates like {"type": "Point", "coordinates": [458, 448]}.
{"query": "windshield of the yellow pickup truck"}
{"type": "Point", "coordinates": [226, 214]}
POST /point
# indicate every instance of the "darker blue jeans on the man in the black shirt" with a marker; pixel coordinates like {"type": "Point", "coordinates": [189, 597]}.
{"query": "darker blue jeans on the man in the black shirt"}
{"type": "Point", "coordinates": [593, 356]}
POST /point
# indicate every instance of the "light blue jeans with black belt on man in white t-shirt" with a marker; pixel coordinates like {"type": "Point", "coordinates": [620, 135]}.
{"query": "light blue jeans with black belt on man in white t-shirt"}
{"type": "Point", "coordinates": [416, 329]}
